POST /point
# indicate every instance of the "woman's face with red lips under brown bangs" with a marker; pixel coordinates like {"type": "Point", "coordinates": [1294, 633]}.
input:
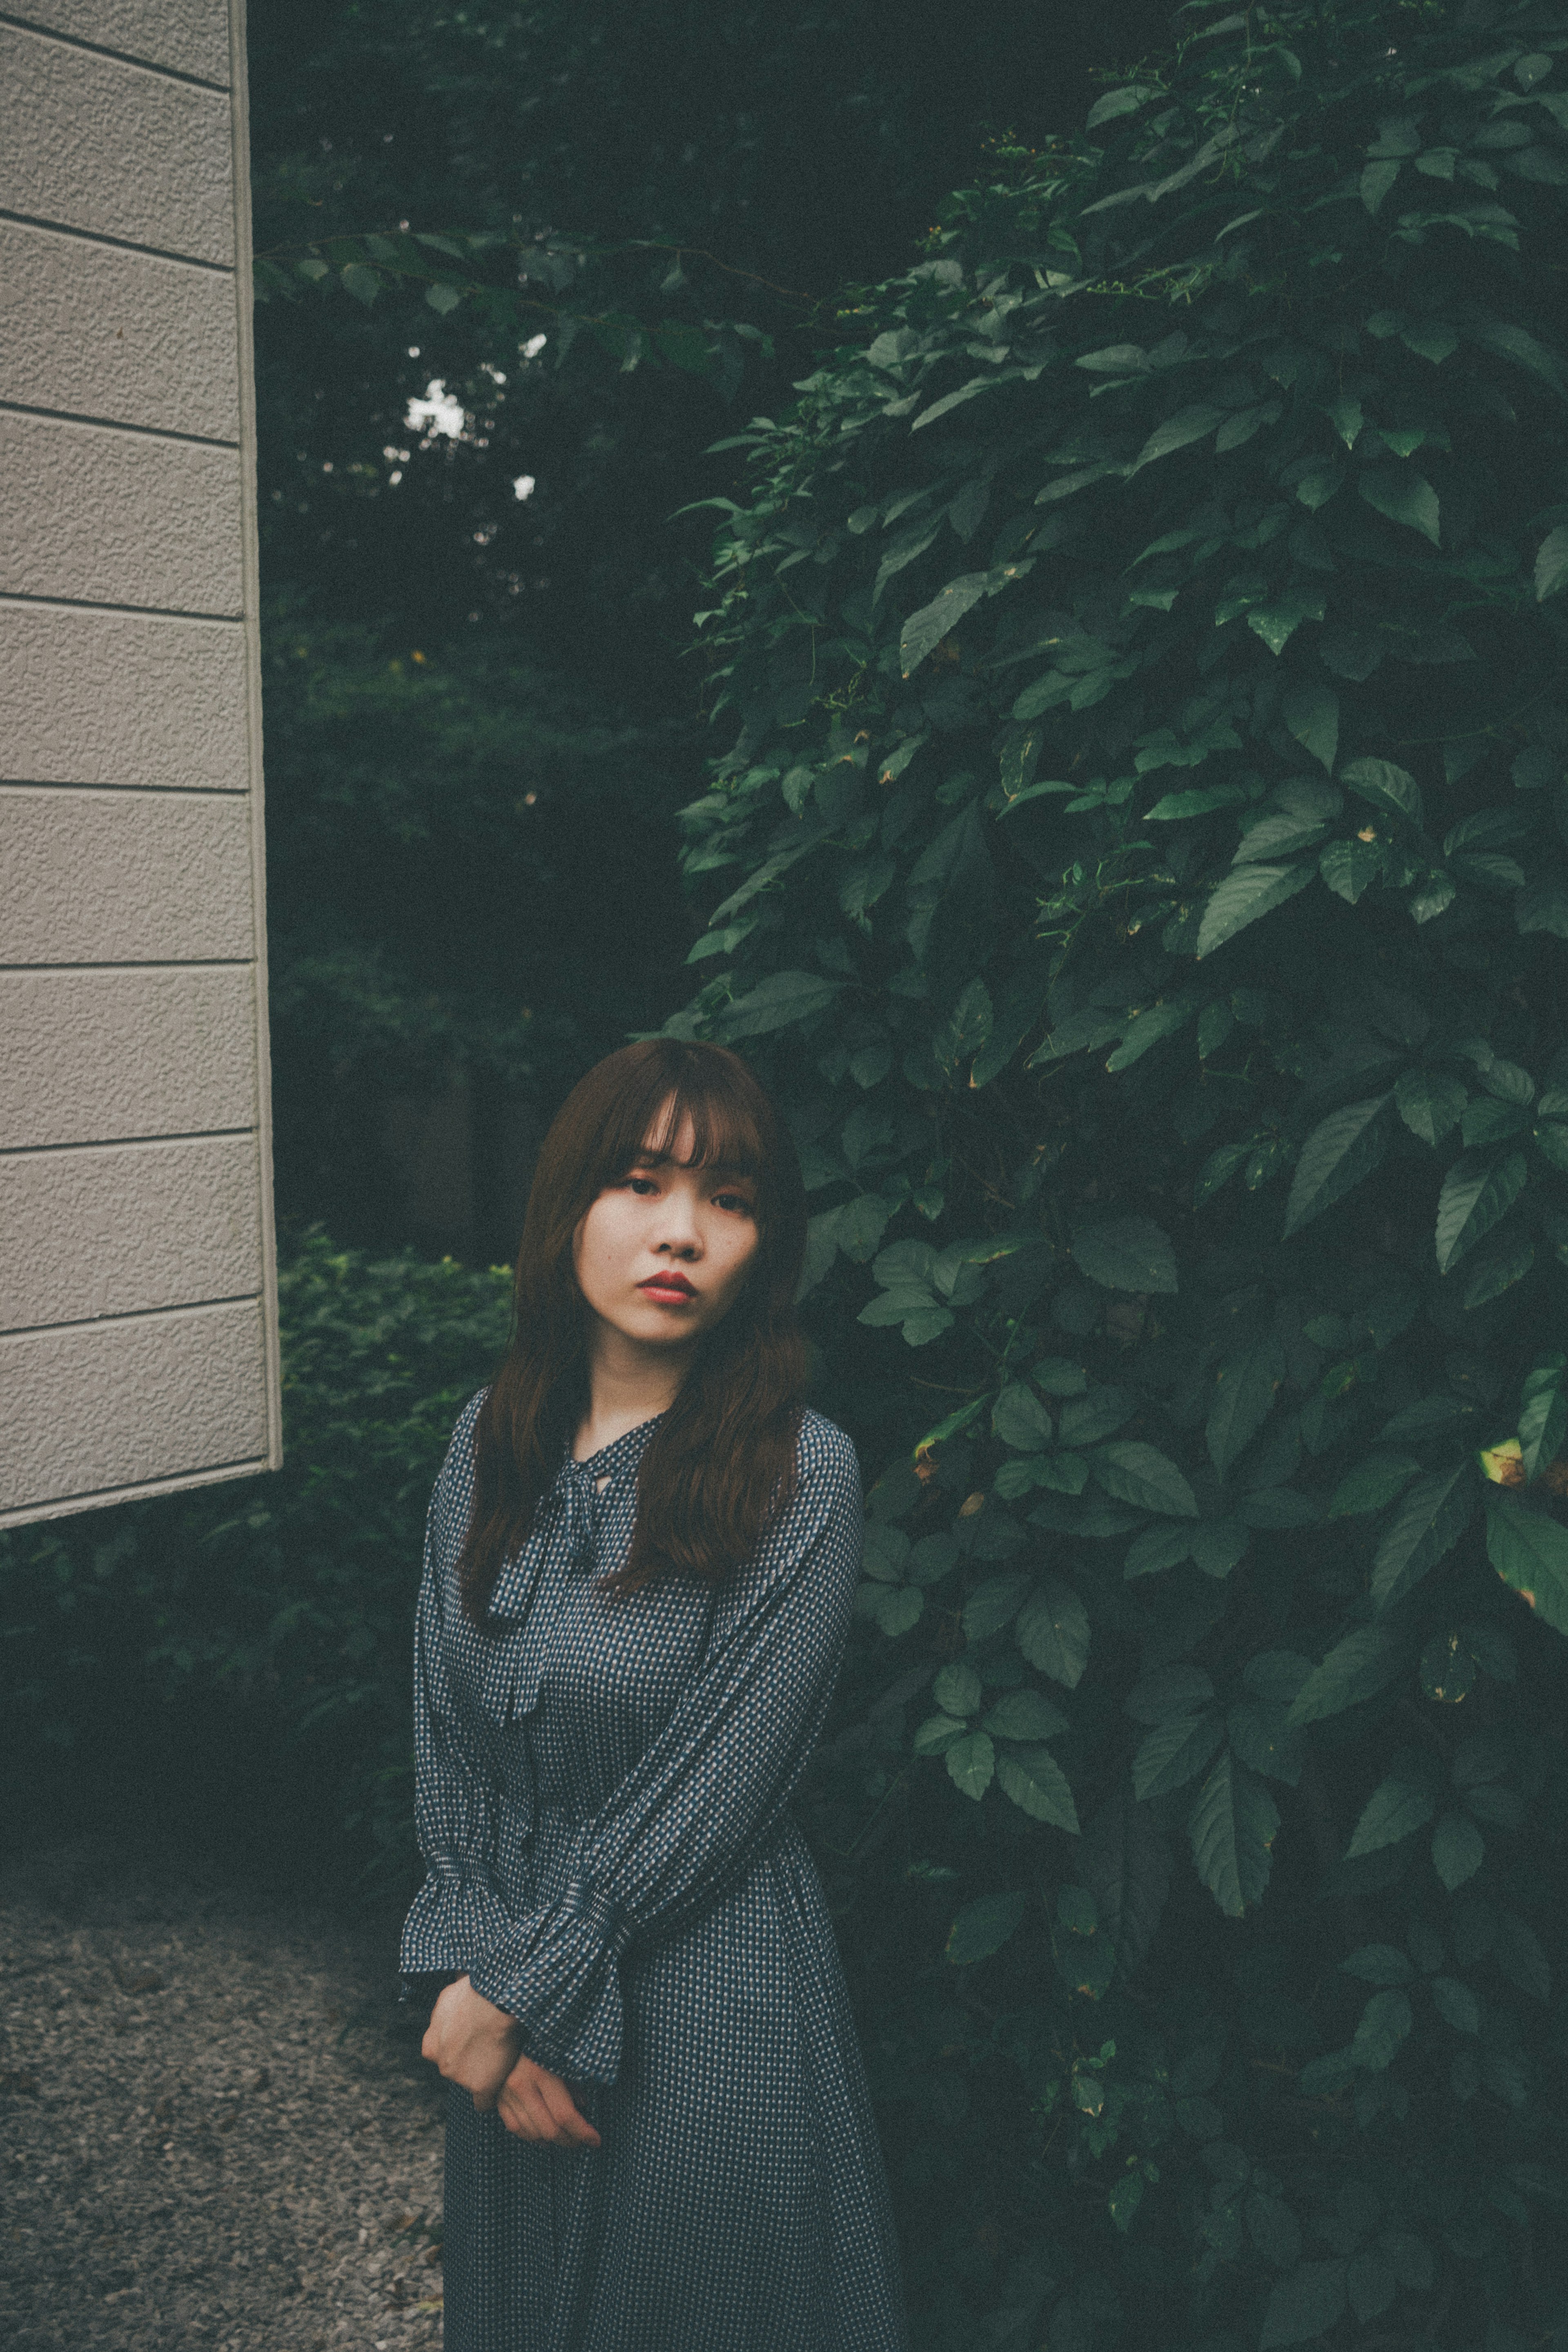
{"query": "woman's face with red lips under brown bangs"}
{"type": "Point", "coordinates": [664, 1252]}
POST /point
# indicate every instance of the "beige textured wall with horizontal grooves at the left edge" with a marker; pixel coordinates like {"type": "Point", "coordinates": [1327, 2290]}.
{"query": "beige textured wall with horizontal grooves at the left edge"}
{"type": "Point", "coordinates": [138, 1288]}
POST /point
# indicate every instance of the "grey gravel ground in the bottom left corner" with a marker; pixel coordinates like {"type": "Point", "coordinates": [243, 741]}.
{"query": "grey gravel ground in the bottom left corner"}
{"type": "Point", "coordinates": [215, 2127]}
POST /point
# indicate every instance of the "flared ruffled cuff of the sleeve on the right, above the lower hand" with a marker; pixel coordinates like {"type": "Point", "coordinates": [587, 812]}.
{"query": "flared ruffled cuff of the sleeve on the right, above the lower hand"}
{"type": "Point", "coordinates": [556, 1972]}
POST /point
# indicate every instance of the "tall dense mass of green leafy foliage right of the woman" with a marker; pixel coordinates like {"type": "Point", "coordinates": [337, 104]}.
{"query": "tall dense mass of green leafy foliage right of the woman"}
{"type": "Point", "coordinates": [1141, 869]}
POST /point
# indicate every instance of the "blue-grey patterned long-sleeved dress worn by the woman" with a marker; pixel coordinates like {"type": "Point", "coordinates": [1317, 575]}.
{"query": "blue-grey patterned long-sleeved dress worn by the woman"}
{"type": "Point", "coordinates": [603, 1805]}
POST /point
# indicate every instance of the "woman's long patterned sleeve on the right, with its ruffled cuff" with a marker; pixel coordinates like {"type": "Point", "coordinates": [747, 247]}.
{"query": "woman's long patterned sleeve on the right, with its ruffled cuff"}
{"type": "Point", "coordinates": [709, 1793]}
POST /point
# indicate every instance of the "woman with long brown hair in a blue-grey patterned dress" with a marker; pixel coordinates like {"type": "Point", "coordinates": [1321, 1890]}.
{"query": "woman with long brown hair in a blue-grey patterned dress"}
{"type": "Point", "coordinates": [638, 1582]}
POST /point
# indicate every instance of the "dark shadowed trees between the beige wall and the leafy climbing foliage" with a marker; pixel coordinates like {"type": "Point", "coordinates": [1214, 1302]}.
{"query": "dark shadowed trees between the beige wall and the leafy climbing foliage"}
{"type": "Point", "coordinates": [481, 711]}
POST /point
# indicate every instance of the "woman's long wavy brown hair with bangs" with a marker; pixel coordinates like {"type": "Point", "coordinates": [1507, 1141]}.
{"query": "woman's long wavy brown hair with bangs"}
{"type": "Point", "coordinates": [721, 1464]}
